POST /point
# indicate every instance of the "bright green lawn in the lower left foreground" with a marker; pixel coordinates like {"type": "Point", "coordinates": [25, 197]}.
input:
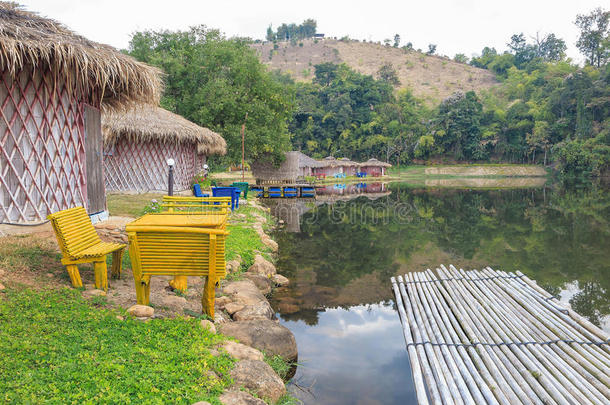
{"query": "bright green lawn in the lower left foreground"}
{"type": "Point", "coordinates": [64, 349]}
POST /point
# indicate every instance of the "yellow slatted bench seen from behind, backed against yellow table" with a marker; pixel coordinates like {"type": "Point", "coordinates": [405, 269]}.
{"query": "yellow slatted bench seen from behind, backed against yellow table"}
{"type": "Point", "coordinates": [176, 251]}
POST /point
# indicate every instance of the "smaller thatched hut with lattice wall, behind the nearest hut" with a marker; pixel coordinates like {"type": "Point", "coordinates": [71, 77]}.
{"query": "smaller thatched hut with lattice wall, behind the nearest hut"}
{"type": "Point", "coordinates": [138, 142]}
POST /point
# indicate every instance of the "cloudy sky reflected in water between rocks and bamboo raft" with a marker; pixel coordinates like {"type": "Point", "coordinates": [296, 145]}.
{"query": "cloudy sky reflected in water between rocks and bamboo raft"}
{"type": "Point", "coordinates": [342, 362]}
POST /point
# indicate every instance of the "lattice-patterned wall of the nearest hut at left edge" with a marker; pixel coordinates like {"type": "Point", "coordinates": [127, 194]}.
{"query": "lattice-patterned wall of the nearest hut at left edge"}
{"type": "Point", "coordinates": [42, 153]}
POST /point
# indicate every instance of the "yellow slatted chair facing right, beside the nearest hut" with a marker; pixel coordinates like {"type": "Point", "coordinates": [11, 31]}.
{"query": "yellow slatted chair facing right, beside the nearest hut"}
{"type": "Point", "coordinates": [80, 243]}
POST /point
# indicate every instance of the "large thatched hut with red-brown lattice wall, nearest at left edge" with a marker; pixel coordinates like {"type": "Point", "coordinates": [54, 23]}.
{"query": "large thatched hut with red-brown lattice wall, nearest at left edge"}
{"type": "Point", "coordinates": [52, 85]}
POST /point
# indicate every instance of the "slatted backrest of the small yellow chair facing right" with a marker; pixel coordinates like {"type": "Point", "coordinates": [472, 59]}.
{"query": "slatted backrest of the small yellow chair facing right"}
{"type": "Point", "coordinates": [74, 230]}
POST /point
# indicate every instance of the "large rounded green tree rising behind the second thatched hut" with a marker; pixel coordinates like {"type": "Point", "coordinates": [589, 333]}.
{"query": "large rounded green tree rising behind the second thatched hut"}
{"type": "Point", "coordinates": [214, 81]}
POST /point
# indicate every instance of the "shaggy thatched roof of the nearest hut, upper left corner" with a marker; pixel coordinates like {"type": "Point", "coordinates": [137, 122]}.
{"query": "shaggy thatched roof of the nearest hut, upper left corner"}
{"type": "Point", "coordinates": [27, 39]}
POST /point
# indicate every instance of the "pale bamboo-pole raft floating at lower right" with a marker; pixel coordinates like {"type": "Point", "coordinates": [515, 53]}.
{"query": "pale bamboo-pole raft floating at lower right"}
{"type": "Point", "coordinates": [492, 337]}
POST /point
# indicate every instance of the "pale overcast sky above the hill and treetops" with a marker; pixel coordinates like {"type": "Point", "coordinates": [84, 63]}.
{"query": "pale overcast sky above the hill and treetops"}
{"type": "Point", "coordinates": [458, 26]}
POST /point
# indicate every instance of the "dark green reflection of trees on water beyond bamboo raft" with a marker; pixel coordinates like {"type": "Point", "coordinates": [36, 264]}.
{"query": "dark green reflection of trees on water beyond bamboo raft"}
{"type": "Point", "coordinates": [554, 236]}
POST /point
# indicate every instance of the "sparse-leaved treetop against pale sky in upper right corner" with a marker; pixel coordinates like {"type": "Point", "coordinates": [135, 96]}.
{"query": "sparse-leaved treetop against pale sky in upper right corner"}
{"type": "Point", "coordinates": [593, 41]}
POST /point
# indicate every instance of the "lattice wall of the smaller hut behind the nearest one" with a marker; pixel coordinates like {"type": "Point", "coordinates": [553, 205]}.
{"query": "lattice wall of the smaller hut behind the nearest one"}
{"type": "Point", "coordinates": [142, 165]}
